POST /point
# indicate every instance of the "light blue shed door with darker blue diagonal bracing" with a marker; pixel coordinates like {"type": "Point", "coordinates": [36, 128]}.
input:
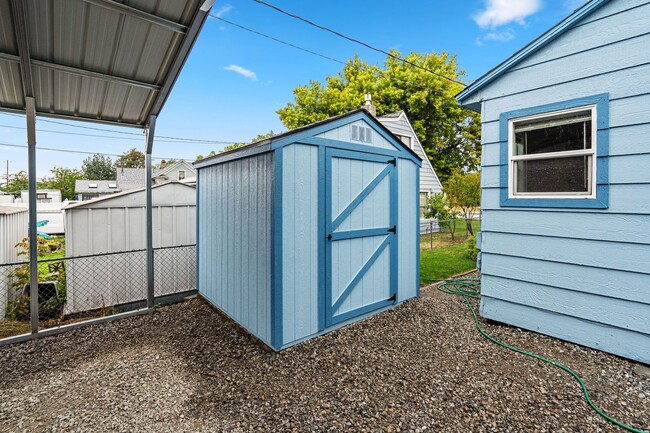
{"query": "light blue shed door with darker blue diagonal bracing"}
{"type": "Point", "coordinates": [361, 245]}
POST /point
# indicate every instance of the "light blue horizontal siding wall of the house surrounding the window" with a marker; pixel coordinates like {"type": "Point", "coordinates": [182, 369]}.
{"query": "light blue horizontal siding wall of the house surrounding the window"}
{"type": "Point", "coordinates": [580, 275]}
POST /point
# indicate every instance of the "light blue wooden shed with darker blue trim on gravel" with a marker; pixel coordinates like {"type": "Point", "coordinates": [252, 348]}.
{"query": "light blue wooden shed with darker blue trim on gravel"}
{"type": "Point", "coordinates": [309, 230]}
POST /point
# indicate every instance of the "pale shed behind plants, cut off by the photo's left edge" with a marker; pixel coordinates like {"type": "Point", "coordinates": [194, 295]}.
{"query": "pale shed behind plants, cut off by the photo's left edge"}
{"type": "Point", "coordinates": [13, 229]}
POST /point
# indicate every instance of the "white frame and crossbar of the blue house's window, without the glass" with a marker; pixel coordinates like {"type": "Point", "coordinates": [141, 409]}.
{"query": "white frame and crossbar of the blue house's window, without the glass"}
{"type": "Point", "coordinates": [552, 155]}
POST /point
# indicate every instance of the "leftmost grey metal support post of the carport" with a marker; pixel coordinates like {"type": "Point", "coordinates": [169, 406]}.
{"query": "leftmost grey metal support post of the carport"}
{"type": "Point", "coordinates": [30, 111]}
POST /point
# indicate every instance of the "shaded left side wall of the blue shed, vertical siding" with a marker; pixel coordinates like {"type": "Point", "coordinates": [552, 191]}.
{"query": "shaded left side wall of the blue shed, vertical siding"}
{"type": "Point", "coordinates": [235, 202]}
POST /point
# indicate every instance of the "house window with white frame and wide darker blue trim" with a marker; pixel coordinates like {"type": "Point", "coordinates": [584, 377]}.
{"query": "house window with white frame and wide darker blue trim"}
{"type": "Point", "coordinates": [555, 155]}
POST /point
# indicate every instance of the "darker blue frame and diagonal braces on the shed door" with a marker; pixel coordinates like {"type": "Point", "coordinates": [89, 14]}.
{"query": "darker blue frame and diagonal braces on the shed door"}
{"type": "Point", "coordinates": [389, 242]}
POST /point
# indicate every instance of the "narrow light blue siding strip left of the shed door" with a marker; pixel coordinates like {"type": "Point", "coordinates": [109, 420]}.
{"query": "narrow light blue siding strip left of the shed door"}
{"type": "Point", "coordinates": [300, 221]}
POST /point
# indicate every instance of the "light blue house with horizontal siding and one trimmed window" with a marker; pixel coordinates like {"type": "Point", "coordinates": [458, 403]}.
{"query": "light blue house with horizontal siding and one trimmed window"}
{"type": "Point", "coordinates": [566, 181]}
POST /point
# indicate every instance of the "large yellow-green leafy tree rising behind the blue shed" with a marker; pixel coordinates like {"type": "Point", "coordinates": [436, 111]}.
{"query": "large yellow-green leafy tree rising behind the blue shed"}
{"type": "Point", "coordinates": [449, 133]}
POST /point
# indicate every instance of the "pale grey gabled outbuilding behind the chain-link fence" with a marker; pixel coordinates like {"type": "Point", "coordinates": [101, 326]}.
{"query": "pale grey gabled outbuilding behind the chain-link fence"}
{"type": "Point", "coordinates": [115, 224]}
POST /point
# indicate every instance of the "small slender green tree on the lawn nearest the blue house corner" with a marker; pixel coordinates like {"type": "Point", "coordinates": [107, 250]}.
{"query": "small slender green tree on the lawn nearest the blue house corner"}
{"type": "Point", "coordinates": [463, 190]}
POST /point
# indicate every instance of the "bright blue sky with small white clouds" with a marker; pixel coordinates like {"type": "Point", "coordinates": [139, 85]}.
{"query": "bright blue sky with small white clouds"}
{"type": "Point", "coordinates": [234, 81]}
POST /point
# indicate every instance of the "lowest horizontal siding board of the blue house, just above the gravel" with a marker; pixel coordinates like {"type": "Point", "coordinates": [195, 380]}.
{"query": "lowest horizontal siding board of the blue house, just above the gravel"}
{"type": "Point", "coordinates": [629, 344]}
